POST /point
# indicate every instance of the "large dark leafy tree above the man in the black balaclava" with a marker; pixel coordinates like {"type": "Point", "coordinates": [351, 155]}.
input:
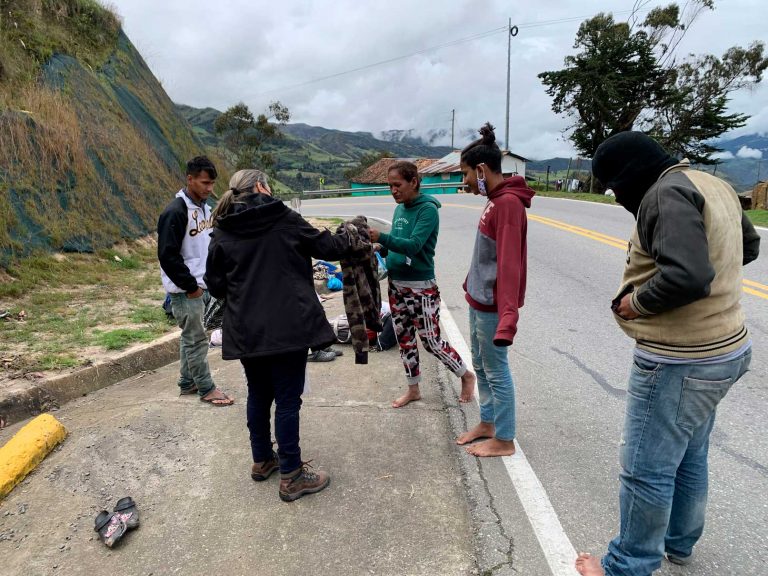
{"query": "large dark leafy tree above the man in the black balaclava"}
{"type": "Point", "coordinates": [626, 76]}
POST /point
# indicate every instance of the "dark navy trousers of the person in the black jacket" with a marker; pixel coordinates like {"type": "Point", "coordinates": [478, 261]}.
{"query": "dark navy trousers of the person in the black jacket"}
{"type": "Point", "coordinates": [278, 379]}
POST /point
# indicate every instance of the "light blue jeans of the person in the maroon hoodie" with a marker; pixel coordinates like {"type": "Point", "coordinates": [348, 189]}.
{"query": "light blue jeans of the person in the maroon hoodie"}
{"type": "Point", "coordinates": [494, 380]}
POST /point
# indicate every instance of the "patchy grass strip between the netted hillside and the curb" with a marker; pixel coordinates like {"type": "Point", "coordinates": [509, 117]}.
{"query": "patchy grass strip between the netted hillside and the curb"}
{"type": "Point", "coordinates": [62, 311]}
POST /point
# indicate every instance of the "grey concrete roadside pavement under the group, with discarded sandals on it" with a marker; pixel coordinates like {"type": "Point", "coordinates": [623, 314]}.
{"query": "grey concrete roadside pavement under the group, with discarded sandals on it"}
{"type": "Point", "coordinates": [396, 504]}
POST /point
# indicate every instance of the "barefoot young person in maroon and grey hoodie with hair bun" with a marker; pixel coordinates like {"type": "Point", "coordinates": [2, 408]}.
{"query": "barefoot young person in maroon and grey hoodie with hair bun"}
{"type": "Point", "coordinates": [495, 290]}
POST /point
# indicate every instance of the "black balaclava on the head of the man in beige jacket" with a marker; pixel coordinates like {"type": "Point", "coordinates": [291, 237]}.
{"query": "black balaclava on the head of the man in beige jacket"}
{"type": "Point", "coordinates": [629, 163]}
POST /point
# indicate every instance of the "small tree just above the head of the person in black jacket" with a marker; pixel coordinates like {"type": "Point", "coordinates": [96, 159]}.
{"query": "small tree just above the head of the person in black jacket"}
{"type": "Point", "coordinates": [245, 134]}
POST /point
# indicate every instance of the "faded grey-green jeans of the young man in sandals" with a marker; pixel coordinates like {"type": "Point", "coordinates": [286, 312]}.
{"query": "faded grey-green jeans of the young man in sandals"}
{"type": "Point", "coordinates": [193, 344]}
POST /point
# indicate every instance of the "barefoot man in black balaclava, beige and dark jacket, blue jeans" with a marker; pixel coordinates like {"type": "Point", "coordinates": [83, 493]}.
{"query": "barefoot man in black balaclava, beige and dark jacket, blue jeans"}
{"type": "Point", "coordinates": [680, 301]}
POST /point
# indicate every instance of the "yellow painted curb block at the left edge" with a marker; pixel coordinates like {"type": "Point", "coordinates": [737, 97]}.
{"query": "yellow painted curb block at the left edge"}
{"type": "Point", "coordinates": [28, 447]}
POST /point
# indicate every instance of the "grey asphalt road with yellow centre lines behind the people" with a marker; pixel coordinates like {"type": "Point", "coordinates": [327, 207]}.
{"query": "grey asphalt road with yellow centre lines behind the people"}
{"type": "Point", "coordinates": [571, 362]}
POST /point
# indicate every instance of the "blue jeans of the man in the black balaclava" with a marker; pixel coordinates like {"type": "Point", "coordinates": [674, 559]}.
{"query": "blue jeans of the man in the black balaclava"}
{"type": "Point", "coordinates": [663, 495]}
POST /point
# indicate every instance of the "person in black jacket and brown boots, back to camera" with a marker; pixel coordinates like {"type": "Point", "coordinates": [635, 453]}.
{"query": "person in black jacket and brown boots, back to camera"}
{"type": "Point", "coordinates": [259, 260]}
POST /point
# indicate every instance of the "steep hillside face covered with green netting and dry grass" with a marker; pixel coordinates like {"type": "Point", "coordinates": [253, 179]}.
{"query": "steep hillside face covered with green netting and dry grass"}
{"type": "Point", "coordinates": [100, 153]}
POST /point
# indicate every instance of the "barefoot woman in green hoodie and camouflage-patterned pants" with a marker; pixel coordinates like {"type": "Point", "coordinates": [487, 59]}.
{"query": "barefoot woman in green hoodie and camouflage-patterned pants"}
{"type": "Point", "coordinates": [414, 297]}
